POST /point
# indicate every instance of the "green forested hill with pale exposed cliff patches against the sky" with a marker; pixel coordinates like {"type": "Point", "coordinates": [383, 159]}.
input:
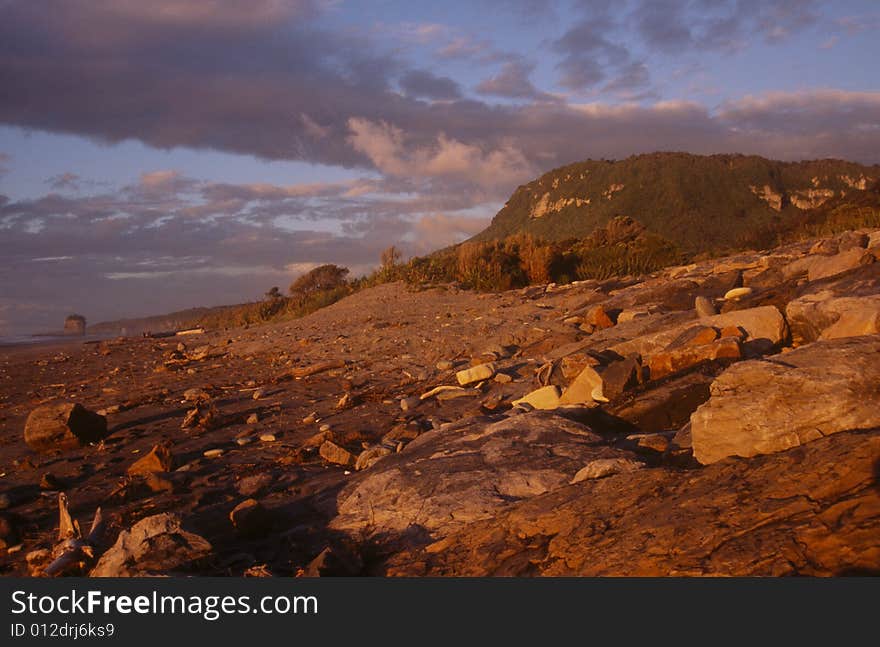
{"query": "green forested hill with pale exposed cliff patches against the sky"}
{"type": "Point", "coordinates": [700, 203]}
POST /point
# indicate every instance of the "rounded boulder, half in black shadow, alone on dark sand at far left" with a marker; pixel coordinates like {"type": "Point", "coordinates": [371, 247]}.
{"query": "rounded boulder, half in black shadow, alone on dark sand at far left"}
{"type": "Point", "coordinates": [63, 426]}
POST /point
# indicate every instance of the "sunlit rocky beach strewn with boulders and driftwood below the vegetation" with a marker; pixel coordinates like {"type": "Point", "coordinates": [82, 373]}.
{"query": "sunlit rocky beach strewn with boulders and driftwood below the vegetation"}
{"type": "Point", "coordinates": [718, 418]}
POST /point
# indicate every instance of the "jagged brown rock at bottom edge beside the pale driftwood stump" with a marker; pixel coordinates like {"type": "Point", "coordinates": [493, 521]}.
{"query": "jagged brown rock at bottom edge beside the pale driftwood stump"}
{"type": "Point", "coordinates": [156, 545]}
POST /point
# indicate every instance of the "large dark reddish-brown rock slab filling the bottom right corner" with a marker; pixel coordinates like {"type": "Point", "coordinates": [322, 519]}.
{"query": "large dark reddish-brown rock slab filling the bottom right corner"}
{"type": "Point", "coordinates": [814, 511]}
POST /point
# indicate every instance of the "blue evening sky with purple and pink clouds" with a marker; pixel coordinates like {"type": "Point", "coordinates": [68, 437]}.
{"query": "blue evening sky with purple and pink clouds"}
{"type": "Point", "coordinates": [161, 155]}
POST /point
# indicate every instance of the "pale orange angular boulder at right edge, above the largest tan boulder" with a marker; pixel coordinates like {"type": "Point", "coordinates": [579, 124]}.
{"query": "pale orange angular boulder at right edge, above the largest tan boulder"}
{"type": "Point", "coordinates": [822, 315]}
